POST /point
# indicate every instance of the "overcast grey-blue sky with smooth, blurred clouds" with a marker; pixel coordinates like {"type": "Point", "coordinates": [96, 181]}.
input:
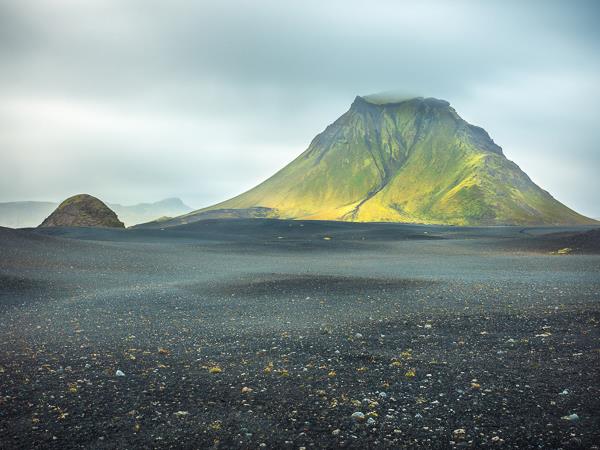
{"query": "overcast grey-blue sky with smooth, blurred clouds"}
{"type": "Point", "coordinates": [138, 100]}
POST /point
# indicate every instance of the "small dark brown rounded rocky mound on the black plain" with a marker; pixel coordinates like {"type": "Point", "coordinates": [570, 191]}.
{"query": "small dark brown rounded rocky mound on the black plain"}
{"type": "Point", "coordinates": [82, 211]}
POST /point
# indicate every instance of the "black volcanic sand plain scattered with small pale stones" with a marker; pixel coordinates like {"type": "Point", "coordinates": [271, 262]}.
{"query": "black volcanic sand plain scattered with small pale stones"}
{"type": "Point", "coordinates": [259, 333]}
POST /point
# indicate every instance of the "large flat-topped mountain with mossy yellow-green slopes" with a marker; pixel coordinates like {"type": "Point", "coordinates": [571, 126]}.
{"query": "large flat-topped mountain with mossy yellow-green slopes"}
{"type": "Point", "coordinates": [413, 160]}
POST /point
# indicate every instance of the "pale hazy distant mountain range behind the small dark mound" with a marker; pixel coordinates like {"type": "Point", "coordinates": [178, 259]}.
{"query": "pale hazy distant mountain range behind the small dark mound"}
{"type": "Point", "coordinates": [31, 214]}
